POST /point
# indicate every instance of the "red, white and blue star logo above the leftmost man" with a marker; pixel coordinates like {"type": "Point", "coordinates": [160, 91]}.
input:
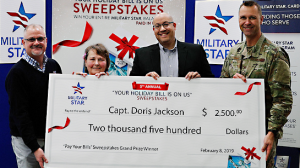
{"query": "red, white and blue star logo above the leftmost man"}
{"type": "Point", "coordinates": [21, 17]}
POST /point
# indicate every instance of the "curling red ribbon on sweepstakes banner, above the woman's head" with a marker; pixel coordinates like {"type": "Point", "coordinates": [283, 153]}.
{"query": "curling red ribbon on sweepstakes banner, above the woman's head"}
{"type": "Point", "coordinates": [71, 43]}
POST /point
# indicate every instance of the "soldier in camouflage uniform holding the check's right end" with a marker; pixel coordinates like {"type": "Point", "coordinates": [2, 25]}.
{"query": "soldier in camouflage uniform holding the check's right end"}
{"type": "Point", "coordinates": [258, 57]}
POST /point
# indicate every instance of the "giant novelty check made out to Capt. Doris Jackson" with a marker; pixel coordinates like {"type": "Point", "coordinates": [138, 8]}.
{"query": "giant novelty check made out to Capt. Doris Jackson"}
{"type": "Point", "coordinates": [140, 122]}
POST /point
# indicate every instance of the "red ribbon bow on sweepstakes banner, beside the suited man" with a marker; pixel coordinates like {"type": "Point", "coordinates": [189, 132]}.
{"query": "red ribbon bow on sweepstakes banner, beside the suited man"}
{"type": "Point", "coordinates": [125, 46]}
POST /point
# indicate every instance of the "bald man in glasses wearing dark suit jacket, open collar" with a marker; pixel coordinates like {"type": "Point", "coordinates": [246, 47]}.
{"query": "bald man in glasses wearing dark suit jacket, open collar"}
{"type": "Point", "coordinates": [170, 57]}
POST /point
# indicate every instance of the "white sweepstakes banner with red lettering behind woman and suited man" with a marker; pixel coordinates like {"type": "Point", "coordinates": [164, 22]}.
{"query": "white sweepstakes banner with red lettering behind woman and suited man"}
{"type": "Point", "coordinates": [120, 25]}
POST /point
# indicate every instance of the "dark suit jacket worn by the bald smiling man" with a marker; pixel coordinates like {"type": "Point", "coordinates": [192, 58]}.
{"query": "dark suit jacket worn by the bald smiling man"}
{"type": "Point", "coordinates": [191, 57]}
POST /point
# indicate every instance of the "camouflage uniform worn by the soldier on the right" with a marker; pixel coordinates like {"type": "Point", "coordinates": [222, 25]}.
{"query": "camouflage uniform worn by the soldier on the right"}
{"type": "Point", "coordinates": [268, 61]}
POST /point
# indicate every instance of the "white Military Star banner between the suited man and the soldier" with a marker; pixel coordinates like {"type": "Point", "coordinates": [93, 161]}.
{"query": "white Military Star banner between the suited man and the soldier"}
{"type": "Point", "coordinates": [216, 28]}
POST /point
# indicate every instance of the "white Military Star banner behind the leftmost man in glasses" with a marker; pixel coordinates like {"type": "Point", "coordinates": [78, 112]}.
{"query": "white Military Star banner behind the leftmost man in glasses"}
{"type": "Point", "coordinates": [15, 16]}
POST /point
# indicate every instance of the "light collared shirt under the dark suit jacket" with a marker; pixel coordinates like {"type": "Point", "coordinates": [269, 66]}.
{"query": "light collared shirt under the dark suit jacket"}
{"type": "Point", "coordinates": [169, 61]}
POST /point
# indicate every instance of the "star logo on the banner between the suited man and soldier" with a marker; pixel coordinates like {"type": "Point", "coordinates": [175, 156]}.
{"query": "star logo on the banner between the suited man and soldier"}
{"type": "Point", "coordinates": [218, 21]}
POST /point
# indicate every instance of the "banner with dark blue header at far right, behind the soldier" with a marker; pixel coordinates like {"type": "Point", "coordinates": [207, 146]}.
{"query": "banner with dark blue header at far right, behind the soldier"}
{"type": "Point", "coordinates": [281, 25]}
